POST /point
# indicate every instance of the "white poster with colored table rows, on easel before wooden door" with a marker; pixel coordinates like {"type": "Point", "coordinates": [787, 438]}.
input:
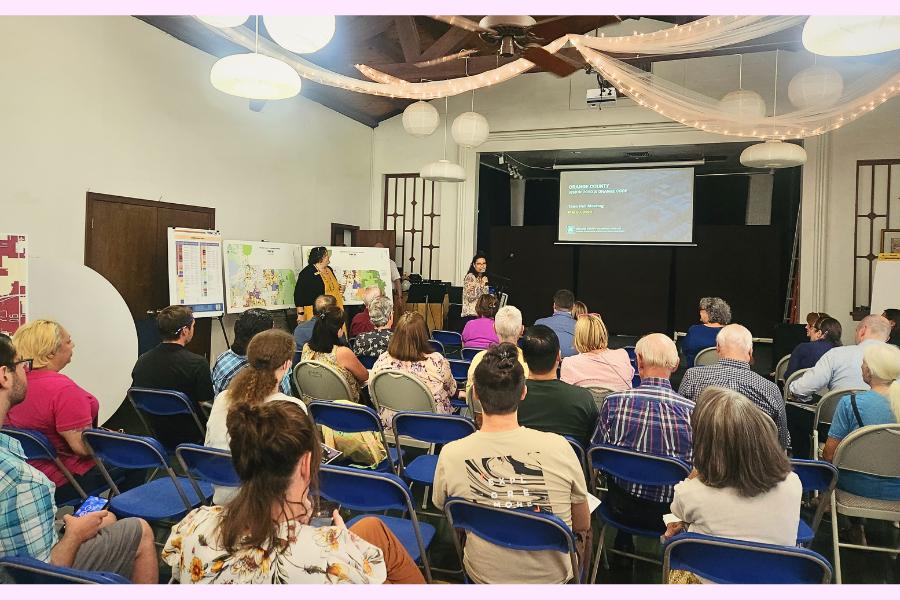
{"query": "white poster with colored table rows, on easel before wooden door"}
{"type": "Point", "coordinates": [195, 270]}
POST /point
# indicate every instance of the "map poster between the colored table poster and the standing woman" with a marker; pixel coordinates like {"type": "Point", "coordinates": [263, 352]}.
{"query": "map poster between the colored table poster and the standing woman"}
{"type": "Point", "coordinates": [259, 275]}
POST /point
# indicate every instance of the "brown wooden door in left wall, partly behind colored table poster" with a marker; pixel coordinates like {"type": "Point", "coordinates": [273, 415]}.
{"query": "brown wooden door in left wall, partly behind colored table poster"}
{"type": "Point", "coordinates": [125, 241]}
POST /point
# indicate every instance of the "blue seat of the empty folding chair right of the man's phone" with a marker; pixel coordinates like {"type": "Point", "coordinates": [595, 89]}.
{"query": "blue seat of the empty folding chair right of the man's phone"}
{"type": "Point", "coordinates": [158, 500]}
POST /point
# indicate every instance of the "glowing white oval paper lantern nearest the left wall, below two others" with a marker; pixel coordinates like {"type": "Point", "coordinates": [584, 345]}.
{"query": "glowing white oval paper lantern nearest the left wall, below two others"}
{"type": "Point", "coordinates": [255, 76]}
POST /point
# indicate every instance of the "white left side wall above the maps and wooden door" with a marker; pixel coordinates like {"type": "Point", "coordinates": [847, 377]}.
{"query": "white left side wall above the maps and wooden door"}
{"type": "Point", "coordinates": [113, 105]}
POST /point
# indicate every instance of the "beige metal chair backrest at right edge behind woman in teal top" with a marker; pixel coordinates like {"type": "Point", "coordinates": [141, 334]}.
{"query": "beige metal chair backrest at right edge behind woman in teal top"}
{"type": "Point", "coordinates": [872, 450]}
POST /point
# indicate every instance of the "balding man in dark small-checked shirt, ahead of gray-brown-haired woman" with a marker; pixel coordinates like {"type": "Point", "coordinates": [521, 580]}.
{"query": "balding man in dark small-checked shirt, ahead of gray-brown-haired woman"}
{"type": "Point", "coordinates": [734, 345]}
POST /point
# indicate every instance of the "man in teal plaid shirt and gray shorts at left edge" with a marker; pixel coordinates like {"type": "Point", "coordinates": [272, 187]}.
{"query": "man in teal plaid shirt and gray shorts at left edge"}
{"type": "Point", "coordinates": [93, 542]}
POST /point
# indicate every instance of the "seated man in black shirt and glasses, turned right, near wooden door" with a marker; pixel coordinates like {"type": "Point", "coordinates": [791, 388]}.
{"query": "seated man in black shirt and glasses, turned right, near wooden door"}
{"type": "Point", "coordinates": [170, 366]}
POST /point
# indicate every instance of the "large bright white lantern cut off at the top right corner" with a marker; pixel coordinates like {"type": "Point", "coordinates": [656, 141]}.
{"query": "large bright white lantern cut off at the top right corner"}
{"type": "Point", "coordinates": [844, 35]}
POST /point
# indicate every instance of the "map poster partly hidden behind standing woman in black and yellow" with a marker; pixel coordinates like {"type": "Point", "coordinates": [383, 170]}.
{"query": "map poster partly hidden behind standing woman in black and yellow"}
{"type": "Point", "coordinates": [356, 269]}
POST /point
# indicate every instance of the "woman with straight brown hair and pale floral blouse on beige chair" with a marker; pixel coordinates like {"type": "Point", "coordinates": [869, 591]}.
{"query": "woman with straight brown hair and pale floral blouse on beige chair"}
{"type": "Point", "coordinates": [410, 352]}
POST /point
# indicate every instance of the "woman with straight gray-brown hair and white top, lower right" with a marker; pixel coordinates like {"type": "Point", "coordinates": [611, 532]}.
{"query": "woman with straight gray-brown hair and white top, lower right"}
{"type": "Point", "coordinates": [742, 486]}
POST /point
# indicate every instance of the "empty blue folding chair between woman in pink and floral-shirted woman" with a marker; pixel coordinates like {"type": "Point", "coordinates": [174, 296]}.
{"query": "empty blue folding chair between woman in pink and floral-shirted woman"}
{"type": "Point", "coordinates": [164, 499]}
